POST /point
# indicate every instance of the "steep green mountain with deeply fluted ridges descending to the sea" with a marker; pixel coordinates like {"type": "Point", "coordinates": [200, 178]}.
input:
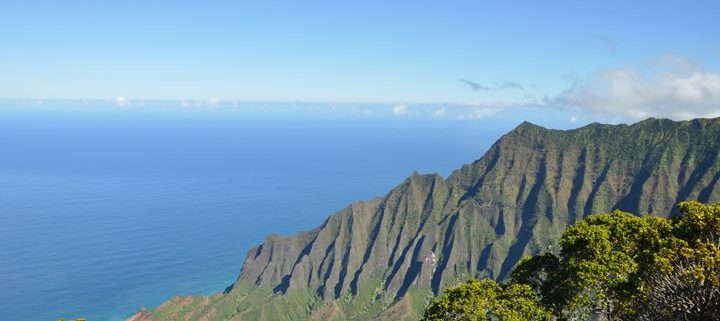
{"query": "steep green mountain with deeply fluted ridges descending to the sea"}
{"type": "Point", "coordinates": [384, 258]}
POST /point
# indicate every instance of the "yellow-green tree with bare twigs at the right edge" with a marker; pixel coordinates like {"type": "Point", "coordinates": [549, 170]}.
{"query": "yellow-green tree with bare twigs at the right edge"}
{"type": "Point", "coordinates": [687, 286]}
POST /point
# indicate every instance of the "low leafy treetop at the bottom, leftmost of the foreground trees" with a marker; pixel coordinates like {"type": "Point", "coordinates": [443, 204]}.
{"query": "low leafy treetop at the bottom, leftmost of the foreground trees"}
{"type": "Point", "coordinates": [481, 300]}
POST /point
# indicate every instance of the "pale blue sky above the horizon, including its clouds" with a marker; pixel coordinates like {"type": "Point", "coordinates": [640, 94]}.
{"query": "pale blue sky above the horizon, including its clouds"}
{"type": "Point", "coordinates": [625, 59]}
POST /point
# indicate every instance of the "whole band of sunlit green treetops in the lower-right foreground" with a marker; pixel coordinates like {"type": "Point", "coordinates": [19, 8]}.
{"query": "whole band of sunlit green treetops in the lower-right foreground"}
{"type": "Point", "coordinates": [616, 266]}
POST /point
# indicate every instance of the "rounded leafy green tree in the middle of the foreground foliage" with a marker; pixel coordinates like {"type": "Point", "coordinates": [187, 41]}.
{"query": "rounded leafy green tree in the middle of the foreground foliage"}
{"type": "Point", "coordinates": [605, 260]}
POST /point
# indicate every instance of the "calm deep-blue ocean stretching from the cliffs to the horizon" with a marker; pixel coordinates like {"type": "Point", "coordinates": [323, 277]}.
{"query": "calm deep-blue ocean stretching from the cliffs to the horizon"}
{"type": "Point", "coordinates": [106, 210]}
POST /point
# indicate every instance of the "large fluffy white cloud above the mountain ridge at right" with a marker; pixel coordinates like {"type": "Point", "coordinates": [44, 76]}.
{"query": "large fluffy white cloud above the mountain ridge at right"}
{"type": "Point", "coordinates": [670, 87]}
